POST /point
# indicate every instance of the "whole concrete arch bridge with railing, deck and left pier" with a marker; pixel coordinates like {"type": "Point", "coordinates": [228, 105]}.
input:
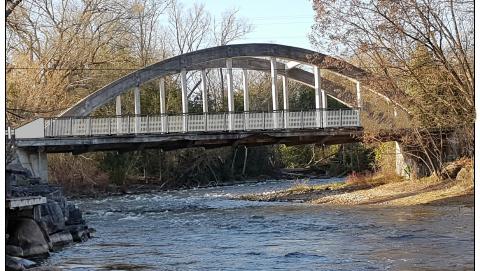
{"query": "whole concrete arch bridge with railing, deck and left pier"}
{"type": "Point", "coordinates": [76, 131]}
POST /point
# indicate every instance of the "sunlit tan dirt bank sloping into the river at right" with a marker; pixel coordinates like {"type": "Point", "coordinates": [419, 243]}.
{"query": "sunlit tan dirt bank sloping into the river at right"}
{"type": "Point", "coordinates": [383, 190]}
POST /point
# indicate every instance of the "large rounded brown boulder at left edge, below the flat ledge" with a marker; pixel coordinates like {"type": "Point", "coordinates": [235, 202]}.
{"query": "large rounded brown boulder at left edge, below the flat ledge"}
{"type": "Point", "coordinates": [27, 234]}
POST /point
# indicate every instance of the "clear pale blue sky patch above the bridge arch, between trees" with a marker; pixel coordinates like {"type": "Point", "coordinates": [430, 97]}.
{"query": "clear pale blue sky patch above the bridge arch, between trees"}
{"type": "Point", "coordinates": [275, 21]}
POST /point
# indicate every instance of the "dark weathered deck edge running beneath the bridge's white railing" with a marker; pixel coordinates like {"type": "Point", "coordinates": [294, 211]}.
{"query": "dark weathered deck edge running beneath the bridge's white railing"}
{"type": "Point", "coordinates": [128, 142]}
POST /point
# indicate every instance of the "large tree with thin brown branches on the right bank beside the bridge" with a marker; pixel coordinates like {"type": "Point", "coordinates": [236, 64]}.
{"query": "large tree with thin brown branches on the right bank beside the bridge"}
{"type": "Point", "coordinates": [421, 54]}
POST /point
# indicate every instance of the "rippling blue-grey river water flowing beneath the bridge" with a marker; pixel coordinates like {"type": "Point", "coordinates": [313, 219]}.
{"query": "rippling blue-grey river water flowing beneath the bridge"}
{"type": "Point", "coordinates": [202, 229]}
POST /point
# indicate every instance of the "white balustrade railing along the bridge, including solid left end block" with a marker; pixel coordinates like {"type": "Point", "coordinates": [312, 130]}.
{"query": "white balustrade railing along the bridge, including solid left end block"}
{"type": "Point", "coordinates": [210, 122]}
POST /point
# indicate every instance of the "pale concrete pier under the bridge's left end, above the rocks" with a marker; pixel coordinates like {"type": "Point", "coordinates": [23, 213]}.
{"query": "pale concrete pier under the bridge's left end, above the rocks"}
{"type": "Point", "coordinates": [35, 162]}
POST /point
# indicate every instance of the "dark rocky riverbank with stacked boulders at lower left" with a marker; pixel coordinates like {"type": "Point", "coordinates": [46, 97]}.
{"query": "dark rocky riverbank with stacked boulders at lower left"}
{"type": "Point", "coordinates": [33, 232]}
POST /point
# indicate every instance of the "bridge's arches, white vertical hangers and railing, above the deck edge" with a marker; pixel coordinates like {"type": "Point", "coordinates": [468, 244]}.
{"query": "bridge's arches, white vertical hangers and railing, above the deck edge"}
{"type": "Point", "coordinates": [263, 57]}
